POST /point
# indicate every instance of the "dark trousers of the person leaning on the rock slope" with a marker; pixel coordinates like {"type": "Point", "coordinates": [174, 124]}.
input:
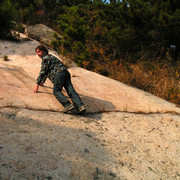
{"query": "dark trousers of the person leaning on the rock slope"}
{"type": "Point", "coordinates": [63, 79]}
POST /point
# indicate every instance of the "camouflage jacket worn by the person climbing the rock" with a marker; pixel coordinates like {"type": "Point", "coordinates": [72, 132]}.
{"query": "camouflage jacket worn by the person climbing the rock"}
{"type": "Point", "coordinates": [50, 66]}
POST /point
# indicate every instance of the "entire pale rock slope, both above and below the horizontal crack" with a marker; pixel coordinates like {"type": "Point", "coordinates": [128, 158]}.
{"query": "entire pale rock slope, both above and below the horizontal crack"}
{"type": "Point", "coordinates": [37, 142]}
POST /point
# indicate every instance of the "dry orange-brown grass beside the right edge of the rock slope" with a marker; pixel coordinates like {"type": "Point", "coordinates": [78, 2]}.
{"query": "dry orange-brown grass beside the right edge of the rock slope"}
{"type": "Point", "coordinates": [159, 78]}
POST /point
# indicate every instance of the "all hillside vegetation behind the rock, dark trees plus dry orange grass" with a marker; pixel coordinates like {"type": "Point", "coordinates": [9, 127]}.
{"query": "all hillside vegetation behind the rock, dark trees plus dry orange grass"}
{"type": "Point", "coordinates": [132, 41]}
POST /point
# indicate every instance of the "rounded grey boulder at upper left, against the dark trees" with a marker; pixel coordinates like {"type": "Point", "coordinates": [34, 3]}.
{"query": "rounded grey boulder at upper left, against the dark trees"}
{"type": "Point", "coordinates": [41, 33]}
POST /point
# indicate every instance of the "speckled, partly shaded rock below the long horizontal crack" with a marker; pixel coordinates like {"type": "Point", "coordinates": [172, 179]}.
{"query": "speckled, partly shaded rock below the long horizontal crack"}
{"type": "Point", "coordinates": [116, 145]}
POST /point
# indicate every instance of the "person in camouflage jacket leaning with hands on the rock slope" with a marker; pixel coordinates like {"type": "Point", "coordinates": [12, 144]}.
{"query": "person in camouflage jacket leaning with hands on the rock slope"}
{"type": "Point", "coordinates": [54, 69]}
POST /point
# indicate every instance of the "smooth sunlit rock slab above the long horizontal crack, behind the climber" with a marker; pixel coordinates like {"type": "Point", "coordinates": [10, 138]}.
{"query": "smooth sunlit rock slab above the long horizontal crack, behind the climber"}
{"type": "Point", "coordinates": [99, 93]}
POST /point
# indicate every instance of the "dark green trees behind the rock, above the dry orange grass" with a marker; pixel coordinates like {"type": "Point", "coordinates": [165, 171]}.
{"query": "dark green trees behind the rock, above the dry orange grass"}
{"type": "Point", "coordinates": [99, 31]}
